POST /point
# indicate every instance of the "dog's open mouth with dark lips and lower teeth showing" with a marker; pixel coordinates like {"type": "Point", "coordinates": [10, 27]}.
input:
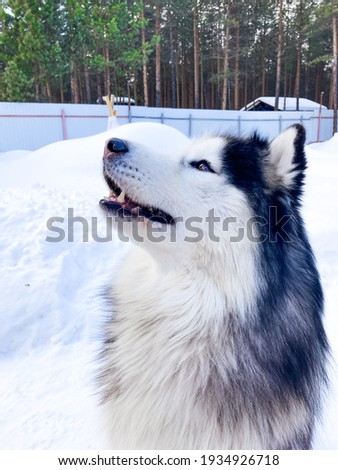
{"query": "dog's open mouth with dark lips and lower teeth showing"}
{"type": "Point", "coordinates": [122, 206]}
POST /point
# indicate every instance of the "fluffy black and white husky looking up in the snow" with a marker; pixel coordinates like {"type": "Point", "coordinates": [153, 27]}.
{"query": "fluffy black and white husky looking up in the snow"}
{"type": "Point", "coordinates": [216, 339]}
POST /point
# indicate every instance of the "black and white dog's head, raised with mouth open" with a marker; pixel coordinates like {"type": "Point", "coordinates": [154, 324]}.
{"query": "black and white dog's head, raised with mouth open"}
{"type": "Point", "coordinates": [209, 191]}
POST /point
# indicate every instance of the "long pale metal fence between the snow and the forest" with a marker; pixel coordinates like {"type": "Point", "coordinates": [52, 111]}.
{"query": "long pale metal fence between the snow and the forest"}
{"type": "Point", "coordinates": [30, 126]}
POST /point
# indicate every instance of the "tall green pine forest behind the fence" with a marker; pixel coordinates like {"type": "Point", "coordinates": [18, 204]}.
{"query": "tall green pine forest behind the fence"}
{"type": "Point", "coordinates": [218, 54]}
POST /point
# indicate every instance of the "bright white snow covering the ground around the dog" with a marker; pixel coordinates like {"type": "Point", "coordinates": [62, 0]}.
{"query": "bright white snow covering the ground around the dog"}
{"type": "Point", "coordinates": [50, 312]}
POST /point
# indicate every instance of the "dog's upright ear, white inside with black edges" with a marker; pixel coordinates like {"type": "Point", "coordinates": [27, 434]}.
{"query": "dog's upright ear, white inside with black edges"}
{"type": "Point", "coordinates": [286, 161]}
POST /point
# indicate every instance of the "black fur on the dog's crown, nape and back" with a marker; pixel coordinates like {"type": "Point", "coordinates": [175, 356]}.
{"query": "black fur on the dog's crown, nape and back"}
{"type": "Point", "coordinates": [297, 366]}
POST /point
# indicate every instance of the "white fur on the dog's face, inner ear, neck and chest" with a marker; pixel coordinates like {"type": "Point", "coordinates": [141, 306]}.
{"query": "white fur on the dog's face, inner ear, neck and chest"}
{"type": "Point", "coordinates": [173, 301]}
